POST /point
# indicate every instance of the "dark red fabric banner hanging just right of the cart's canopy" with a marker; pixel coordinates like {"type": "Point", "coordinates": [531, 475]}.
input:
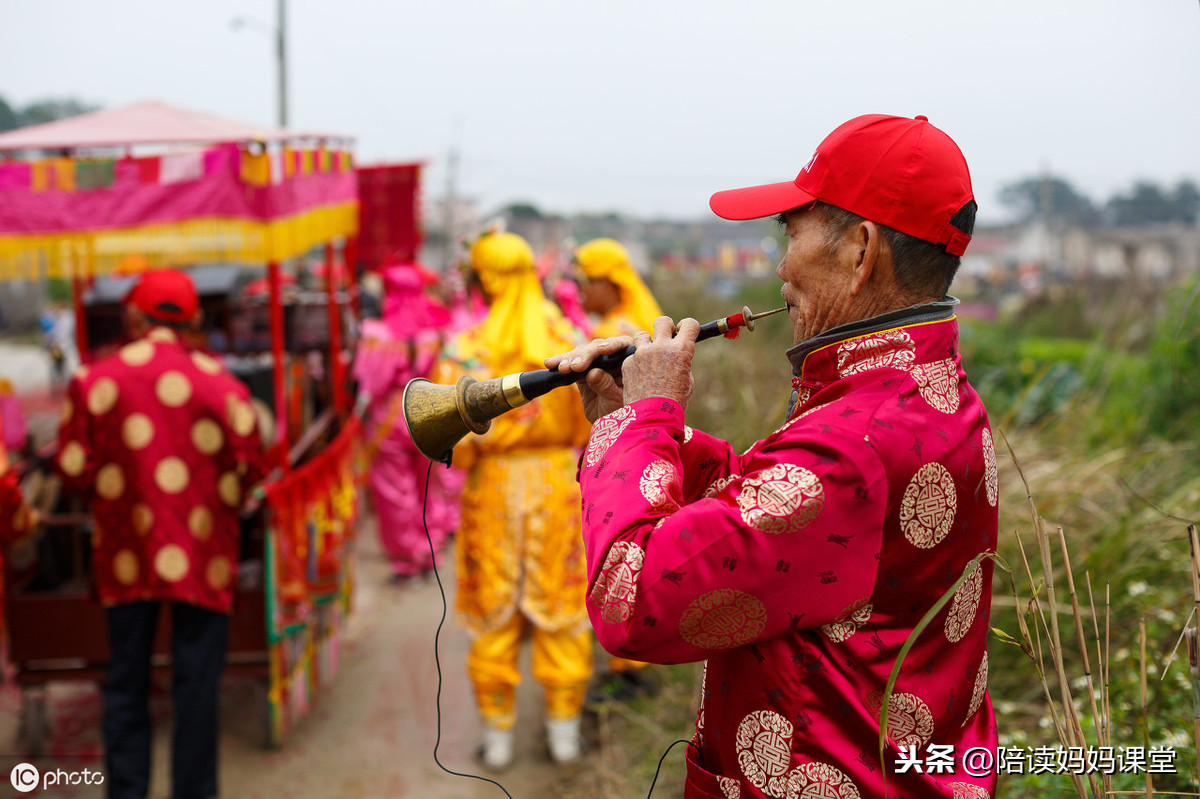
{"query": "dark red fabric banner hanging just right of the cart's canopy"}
{"type": "Point", "coordinates": [389, 218]}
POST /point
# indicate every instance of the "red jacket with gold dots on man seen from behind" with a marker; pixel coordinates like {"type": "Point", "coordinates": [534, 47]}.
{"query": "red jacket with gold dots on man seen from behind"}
{"type": "Point", "coordinates": [166, 443]}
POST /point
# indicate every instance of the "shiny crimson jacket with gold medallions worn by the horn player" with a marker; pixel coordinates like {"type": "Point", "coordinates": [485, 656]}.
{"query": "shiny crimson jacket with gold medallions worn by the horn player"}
{"type": "Point", "coordinates": [797, 570]}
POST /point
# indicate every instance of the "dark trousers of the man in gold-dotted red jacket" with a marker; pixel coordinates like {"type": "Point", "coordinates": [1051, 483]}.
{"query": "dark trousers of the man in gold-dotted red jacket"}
{"type": "Point", "coordinates": [200, 640]}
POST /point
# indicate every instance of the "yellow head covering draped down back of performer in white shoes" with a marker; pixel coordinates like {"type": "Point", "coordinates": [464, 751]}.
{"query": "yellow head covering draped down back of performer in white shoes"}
{"type": "Point", "coordinates": [517, 329]}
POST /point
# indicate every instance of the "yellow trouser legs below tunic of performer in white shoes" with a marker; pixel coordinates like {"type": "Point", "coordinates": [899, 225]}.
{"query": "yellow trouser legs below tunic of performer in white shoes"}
{"type": "Point", "coordinates": [562, 664]}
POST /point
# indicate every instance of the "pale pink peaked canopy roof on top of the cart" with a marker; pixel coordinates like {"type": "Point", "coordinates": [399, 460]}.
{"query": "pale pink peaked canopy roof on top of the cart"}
{"type": "Point", "coordinates": [147, 123]}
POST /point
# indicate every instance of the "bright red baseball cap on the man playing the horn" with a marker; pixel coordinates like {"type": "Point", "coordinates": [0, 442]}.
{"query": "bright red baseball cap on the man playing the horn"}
{"type": "Point", "coordinates": [895, 171]}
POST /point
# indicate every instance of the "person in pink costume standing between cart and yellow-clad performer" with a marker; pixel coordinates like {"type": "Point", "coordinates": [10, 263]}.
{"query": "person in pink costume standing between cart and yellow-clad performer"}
{"type": "Point", "coordinates": [394, 351]}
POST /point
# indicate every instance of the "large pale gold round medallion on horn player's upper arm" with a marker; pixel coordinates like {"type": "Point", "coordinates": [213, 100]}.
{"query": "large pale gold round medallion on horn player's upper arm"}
{"type": "Point", "coordinates": [782, 500]}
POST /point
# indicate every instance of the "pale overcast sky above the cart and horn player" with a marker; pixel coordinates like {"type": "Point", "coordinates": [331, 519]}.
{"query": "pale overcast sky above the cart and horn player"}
{"type": "Point", "coordinates": [650, 106]}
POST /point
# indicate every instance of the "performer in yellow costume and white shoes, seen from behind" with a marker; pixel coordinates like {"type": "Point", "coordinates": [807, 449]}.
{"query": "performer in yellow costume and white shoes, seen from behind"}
{"type": "Point", "coordinates": [520, 550]}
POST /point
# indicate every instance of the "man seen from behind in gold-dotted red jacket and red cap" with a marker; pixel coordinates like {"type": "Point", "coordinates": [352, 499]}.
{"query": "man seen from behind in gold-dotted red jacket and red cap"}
{"type": "Point", "coordinates": [166, 444]}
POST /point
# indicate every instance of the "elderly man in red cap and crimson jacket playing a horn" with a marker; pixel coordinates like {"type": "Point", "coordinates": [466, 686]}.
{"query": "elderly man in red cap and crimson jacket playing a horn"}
{"type": "Point", "coordinates": [797, 570]}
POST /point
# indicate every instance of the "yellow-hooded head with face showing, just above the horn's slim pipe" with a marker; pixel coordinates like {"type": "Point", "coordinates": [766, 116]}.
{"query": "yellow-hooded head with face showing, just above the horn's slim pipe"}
{"type": "Point", "coordinates": [614, 290]}
